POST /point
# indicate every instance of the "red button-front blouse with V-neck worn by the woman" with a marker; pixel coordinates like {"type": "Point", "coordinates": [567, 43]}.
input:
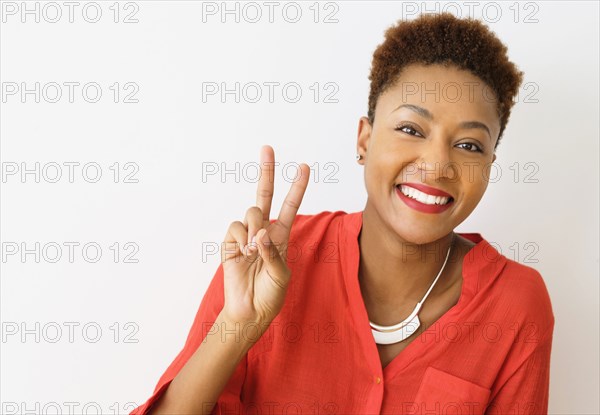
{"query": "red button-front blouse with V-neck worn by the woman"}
{"type": "Point", "coordinates": [488, 354]}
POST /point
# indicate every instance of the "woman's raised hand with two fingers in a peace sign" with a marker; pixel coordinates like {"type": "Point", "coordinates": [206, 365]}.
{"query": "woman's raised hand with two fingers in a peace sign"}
{"type": "Point", "coordinates": [254, 252]}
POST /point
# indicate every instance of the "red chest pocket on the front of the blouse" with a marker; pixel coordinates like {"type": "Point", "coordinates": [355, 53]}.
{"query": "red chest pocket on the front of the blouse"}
{"type": "Point", "coordinates": [443, 393]}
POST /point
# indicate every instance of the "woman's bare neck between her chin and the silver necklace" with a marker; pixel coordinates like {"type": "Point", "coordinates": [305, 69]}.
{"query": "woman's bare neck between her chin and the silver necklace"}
{"type": "Point", "coordinates": [395, 274]}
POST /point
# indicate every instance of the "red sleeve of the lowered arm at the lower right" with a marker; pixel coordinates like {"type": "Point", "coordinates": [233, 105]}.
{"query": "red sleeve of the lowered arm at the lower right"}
{"type": "Point", "coordinates": [526, 391]}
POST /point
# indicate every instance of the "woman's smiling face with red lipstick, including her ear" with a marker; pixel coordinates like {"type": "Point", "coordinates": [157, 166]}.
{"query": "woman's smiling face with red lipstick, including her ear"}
{"type": "Point", "coordinates": [436, 126]}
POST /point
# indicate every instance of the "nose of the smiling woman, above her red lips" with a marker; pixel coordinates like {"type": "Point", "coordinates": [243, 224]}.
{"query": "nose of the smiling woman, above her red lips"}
{"type": "Point", "coordinates": [435, 161]}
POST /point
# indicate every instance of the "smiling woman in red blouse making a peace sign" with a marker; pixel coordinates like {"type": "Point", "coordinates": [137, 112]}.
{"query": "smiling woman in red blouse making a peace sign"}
{"type": "Point", "coordinates": [385, 310]}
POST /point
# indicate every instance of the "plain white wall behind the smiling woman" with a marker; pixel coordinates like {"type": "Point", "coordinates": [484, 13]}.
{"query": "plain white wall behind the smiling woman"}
{"type": "Point", "coordinates": [544, 214]}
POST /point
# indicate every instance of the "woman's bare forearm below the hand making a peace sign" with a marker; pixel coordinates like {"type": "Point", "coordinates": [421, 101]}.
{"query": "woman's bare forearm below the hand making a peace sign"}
{"type": "Point", "coordinates": [201, 380]}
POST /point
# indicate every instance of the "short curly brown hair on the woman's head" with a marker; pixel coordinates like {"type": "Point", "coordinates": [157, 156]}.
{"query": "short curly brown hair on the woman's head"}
{"type": "Point", "coordinates": [445, 39]}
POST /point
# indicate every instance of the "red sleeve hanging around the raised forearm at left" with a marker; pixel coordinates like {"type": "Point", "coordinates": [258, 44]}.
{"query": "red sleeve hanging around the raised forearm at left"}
{"type": "Point", "coordinates": [210, 307]}
